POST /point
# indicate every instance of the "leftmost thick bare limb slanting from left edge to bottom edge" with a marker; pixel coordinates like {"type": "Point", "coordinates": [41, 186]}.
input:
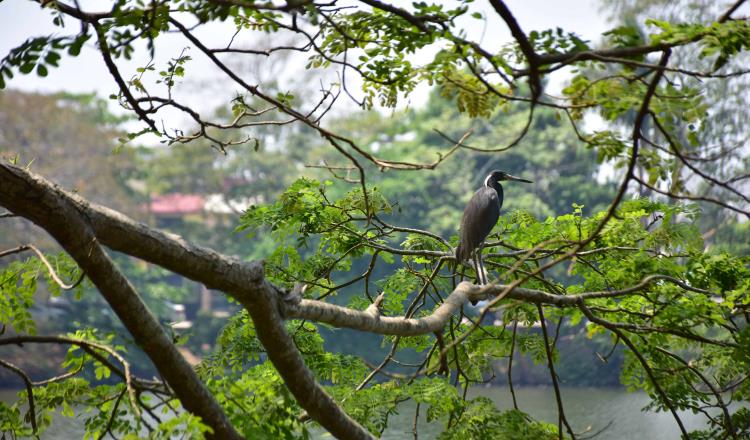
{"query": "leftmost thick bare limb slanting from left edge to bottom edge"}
{"type": "Point", "coordinates": [49, 208]}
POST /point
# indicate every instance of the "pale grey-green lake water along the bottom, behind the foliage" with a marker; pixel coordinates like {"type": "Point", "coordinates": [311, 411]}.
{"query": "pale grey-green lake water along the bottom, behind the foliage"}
{"type": "Point", "coordinates": [586, 409]}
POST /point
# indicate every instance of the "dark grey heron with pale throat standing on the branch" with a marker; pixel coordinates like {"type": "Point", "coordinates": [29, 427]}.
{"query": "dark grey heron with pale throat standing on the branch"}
{"type": "Point", "coordinates": [479, 218]}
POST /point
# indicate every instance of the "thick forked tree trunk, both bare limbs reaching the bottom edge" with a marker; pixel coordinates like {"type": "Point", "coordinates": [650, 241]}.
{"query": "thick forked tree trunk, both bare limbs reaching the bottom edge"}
{"type": "Point", "coordinates": [61, 213]}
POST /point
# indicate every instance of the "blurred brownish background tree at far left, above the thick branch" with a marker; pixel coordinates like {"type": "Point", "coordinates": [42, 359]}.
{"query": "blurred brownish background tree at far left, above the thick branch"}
{"type": "Point", "coordinates": [75, 127]}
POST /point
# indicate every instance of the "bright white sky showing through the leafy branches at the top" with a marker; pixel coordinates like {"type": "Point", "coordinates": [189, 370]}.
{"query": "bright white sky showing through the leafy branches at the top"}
{"type": "Point", "coordinates": [21, 19]}
